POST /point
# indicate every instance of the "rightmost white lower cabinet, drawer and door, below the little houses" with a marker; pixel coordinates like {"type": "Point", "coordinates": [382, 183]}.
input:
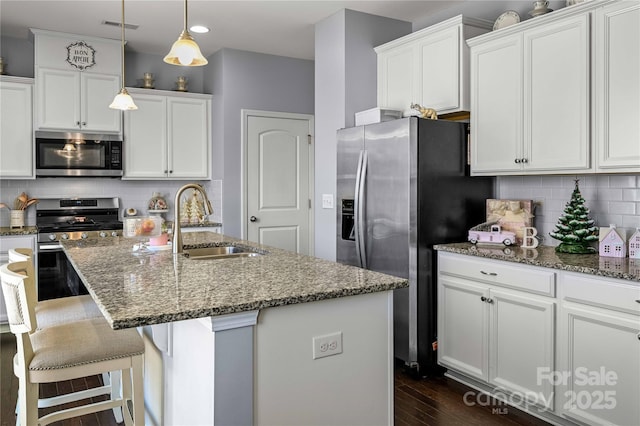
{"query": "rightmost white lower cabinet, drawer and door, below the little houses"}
{"type": "Point", "coordinates": [599, 351]}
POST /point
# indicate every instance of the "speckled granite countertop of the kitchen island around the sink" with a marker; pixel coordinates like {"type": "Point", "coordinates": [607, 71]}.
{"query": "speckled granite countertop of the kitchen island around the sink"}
{"type": "Point", "coordinates": [152, 287]}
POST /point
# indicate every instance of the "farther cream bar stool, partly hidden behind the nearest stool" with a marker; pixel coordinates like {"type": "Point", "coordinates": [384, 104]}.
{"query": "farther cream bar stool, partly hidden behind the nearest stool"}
{"type": "Point", "coordinates": [64, 310]}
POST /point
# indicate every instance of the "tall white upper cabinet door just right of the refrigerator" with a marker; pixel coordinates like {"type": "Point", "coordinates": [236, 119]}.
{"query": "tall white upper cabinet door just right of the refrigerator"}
{"type": "Point", "coordinates": [496, 106]}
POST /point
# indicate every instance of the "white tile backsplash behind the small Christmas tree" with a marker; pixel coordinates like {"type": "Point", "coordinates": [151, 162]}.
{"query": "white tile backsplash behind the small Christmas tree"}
{"type": "Point", "coordinates": [611, 199]}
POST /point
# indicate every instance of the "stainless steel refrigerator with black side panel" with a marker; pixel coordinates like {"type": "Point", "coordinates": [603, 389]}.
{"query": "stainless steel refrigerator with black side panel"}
{"type": "Point", "coordinates": [403, 186]}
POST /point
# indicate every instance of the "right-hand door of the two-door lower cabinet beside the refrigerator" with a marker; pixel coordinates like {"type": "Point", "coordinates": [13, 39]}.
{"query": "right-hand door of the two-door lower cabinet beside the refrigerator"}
{"type": "Point", "coordinates": [521, 338]}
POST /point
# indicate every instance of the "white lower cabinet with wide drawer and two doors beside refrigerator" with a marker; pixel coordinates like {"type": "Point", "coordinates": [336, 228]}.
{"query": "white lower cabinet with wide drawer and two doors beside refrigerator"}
{"type": "Point", "coordinates": [493, 325]}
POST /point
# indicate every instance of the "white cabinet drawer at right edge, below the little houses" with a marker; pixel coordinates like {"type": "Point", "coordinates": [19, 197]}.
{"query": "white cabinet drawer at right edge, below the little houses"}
{"type": "Point", "coordinates": [603, 292]}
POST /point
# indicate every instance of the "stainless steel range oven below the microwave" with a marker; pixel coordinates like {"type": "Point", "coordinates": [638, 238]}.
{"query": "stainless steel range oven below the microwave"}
{"type": "Point", "coordinates": [69, 219]}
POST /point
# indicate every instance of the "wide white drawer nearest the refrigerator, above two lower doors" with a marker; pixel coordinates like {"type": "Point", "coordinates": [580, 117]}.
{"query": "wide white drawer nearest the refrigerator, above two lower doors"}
{"type": "Point", "coordinates": [525, 278]}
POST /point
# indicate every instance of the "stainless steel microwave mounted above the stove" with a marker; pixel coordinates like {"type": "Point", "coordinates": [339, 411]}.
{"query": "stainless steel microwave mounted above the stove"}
{"type": "Point", "coordinates": [78, 155]}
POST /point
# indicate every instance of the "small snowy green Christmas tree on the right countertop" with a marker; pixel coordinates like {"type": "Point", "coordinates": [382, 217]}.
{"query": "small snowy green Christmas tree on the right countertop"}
{"type": "Point", "coordinates": [575, 229]}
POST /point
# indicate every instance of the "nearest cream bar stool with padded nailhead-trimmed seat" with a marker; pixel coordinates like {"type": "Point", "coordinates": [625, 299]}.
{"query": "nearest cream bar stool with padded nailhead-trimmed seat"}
{"type": "Point", "coordinates": [67, 351]}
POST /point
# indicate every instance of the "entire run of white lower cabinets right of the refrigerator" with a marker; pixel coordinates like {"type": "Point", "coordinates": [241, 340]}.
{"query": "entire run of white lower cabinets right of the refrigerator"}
{"type": "Point", "coordinates": [560, 345]}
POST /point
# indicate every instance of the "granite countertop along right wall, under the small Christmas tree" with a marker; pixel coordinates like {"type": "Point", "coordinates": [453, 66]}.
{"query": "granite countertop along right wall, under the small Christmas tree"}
{"type": "Point", "coordinates": [546, 256]}
